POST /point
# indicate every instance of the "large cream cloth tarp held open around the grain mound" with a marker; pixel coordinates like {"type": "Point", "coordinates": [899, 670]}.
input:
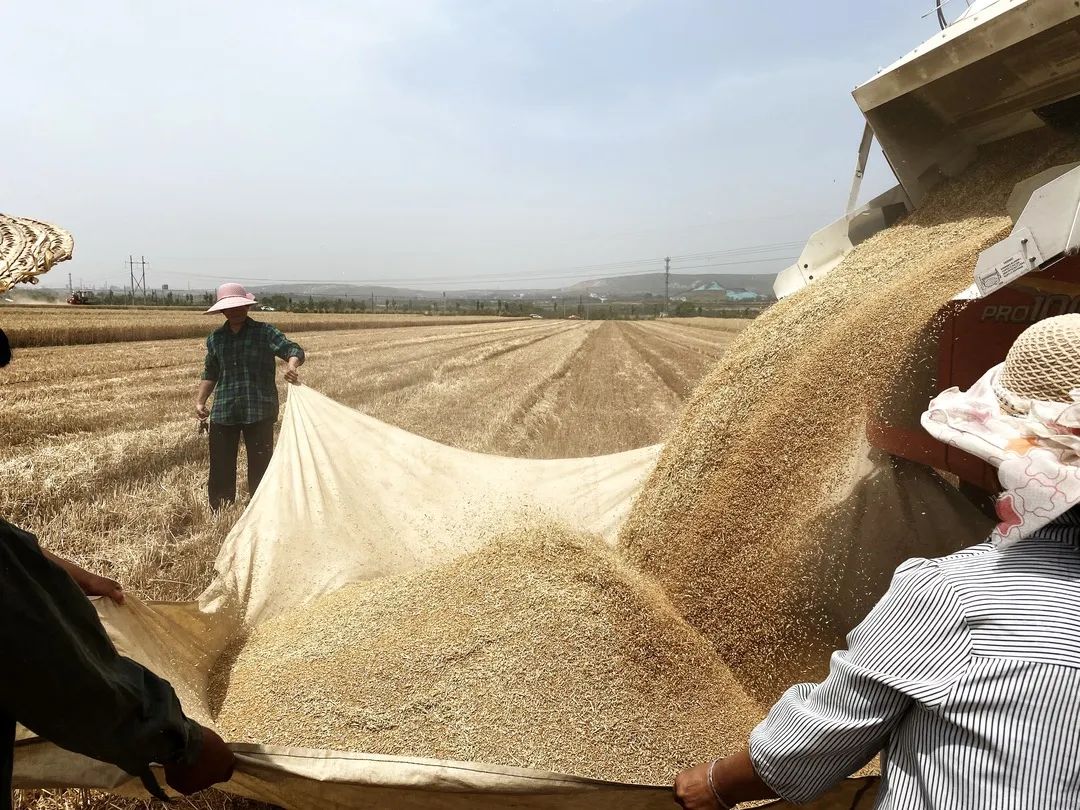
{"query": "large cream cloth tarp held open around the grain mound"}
{"type": "Point", "coordinates": [349, 498]}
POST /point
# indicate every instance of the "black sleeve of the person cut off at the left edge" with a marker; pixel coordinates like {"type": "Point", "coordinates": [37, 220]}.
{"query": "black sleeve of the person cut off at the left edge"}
{"type": "Point", "coordinates": [64, 680]}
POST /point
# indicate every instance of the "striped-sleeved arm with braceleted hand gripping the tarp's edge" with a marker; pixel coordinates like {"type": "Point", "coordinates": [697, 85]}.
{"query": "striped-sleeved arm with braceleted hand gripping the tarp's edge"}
{"type": "Point", "coordinates": [913, 646]}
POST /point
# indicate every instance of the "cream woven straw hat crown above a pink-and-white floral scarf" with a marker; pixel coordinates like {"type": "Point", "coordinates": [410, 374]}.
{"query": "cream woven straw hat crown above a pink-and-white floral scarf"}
{"type": "Point", "coordinates": [1043, 364]}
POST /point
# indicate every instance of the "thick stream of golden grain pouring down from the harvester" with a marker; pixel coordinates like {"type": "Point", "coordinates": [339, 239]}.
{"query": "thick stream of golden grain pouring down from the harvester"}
{"type": "Point", "coordinates": [733, 522]}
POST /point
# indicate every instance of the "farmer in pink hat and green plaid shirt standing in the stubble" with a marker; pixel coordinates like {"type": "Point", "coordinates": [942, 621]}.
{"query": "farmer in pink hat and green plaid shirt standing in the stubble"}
{"type": "Point", "coordinates": [240, 368]}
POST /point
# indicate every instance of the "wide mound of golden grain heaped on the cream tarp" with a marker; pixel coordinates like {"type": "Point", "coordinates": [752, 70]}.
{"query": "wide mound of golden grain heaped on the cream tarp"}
{"type": "Point", "coordinates": [542, 651]}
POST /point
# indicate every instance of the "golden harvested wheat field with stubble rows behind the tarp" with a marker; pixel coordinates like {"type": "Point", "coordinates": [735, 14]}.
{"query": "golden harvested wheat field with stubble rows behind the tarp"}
{"type": "Point", "coordinates": [100, 455]}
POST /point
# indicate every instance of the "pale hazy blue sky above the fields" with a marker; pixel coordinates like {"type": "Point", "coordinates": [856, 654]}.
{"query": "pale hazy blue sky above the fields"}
{"type": "Point", "coordinates": [438, 144]}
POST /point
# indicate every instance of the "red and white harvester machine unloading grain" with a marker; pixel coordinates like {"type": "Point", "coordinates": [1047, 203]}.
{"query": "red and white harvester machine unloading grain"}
{"type": "Point", "coordinates": [1003, 69]}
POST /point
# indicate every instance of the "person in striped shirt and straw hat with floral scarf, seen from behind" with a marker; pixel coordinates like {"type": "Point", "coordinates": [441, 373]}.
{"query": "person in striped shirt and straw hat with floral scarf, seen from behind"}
{"type": "Point", "coordinates": [966, 676]}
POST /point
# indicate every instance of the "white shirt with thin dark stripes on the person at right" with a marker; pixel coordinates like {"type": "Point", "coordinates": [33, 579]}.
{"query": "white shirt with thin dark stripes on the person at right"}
{"type": "Point", "coordinates": [966, 678]}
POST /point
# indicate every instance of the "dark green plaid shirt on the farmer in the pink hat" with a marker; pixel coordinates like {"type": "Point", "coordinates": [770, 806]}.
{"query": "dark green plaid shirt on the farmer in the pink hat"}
{"type": "Point", "coordinates": [244, 368]}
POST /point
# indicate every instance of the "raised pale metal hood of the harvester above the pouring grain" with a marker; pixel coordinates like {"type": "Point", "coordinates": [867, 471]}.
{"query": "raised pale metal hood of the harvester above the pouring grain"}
{"type": "Point", "coordinates": [1003, 69]}
